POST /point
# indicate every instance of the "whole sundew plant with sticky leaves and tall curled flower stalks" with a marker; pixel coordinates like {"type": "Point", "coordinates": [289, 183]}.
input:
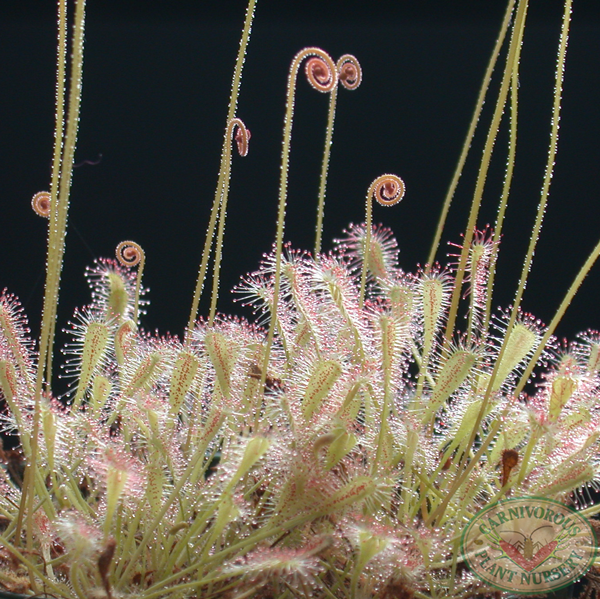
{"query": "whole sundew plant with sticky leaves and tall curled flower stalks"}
{"type": "Point", "coordinates": [336, 440]}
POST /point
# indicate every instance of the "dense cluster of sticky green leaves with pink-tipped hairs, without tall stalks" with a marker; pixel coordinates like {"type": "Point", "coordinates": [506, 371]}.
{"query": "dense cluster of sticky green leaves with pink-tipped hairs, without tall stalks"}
{"type": "Point", "coordinates": [343, 460]}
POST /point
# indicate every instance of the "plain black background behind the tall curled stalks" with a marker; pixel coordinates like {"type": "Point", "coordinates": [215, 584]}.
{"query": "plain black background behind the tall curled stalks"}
{"type": "Point", "coordinates": [155, 93]}
